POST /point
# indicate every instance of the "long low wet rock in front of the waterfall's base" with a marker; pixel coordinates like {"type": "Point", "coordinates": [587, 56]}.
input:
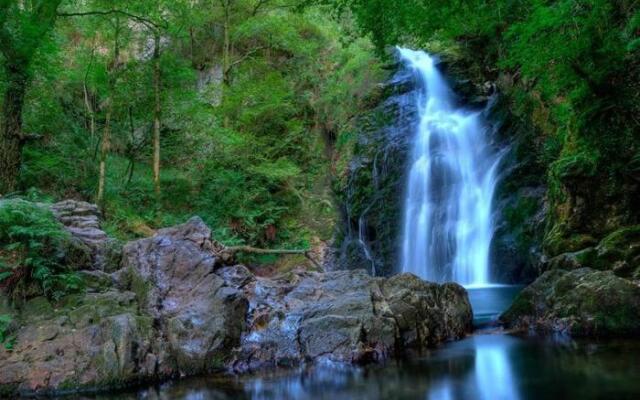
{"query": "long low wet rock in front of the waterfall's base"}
{"type": "Point", "coordinates": [346, 316]}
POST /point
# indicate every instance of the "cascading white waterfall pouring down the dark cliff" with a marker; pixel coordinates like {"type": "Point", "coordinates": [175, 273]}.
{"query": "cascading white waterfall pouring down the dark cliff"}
{"type": "Point", "coordinates": [452, 178]}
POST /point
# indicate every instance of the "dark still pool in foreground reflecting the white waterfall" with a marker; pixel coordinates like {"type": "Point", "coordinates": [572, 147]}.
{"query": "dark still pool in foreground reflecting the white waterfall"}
{"type": "Point", "coordinates": [480, 367]}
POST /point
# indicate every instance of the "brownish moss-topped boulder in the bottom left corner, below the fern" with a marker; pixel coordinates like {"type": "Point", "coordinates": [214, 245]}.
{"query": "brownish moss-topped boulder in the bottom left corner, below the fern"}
{"type": "Point", "coordinates": [92, 341]}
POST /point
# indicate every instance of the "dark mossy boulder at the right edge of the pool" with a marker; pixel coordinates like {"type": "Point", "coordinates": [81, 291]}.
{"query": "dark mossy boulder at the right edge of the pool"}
{"type": "Point", "coordinates": [580, 302]}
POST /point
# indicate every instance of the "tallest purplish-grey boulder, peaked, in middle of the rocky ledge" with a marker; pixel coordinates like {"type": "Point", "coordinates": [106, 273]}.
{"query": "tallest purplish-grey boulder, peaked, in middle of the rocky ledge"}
{"type": "Point", "coordinates": [199, 316]}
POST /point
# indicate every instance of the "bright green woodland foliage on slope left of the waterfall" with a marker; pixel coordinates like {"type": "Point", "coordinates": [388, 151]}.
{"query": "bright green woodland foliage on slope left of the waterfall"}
{"type": "Point", "coordinates": [248, 148]}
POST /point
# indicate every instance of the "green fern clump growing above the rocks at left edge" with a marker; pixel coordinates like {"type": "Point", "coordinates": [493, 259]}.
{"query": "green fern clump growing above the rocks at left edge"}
{"type": "Point", "coordinates": [30, 248]}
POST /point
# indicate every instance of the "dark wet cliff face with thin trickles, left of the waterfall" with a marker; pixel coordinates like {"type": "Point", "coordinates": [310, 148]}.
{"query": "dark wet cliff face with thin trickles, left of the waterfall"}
{"type": "Point", "coordinates": [370, 191]}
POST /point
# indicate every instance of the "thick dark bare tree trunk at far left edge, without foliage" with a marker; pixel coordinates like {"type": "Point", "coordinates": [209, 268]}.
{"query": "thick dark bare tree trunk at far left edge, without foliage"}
{"type": "Point", "coordinates": [11, 129]}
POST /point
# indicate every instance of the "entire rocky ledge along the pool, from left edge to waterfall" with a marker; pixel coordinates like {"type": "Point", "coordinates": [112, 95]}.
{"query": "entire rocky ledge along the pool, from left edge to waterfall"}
{"type": "Point", "coordinates": [173, 308]}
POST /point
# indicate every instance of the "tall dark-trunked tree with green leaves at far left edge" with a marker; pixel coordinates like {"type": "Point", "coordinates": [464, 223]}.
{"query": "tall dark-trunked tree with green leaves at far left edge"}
{"type": "Point", "coordinates": [23, 27]}
